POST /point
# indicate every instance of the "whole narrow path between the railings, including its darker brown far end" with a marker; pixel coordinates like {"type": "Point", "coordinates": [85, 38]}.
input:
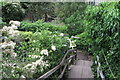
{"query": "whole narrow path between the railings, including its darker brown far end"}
{"type": "Point", "coordinates": [82, 68]}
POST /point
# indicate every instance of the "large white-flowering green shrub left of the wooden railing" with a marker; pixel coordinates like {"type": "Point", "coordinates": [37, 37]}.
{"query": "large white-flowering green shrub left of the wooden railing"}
{"type": "Point", "coordinates": [28, 54]}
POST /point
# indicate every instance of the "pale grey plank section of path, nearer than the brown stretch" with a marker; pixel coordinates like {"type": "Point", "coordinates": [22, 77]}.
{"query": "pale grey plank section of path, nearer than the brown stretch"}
{"type": "Point", "coordinates": [81, 71]}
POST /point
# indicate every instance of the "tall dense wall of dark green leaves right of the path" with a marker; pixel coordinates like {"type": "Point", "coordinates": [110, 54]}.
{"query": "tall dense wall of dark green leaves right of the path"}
{"type": "Point", "coordinates": [102, 27]}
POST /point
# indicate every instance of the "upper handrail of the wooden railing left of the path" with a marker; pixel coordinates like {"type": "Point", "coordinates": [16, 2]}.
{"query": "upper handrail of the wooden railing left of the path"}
{"type": "Point", "coordinates": [47, 74]}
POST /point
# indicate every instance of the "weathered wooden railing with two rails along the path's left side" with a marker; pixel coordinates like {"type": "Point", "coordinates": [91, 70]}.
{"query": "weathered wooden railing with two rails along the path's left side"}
{"type": "Point", "coordinates": [65, 62]}
